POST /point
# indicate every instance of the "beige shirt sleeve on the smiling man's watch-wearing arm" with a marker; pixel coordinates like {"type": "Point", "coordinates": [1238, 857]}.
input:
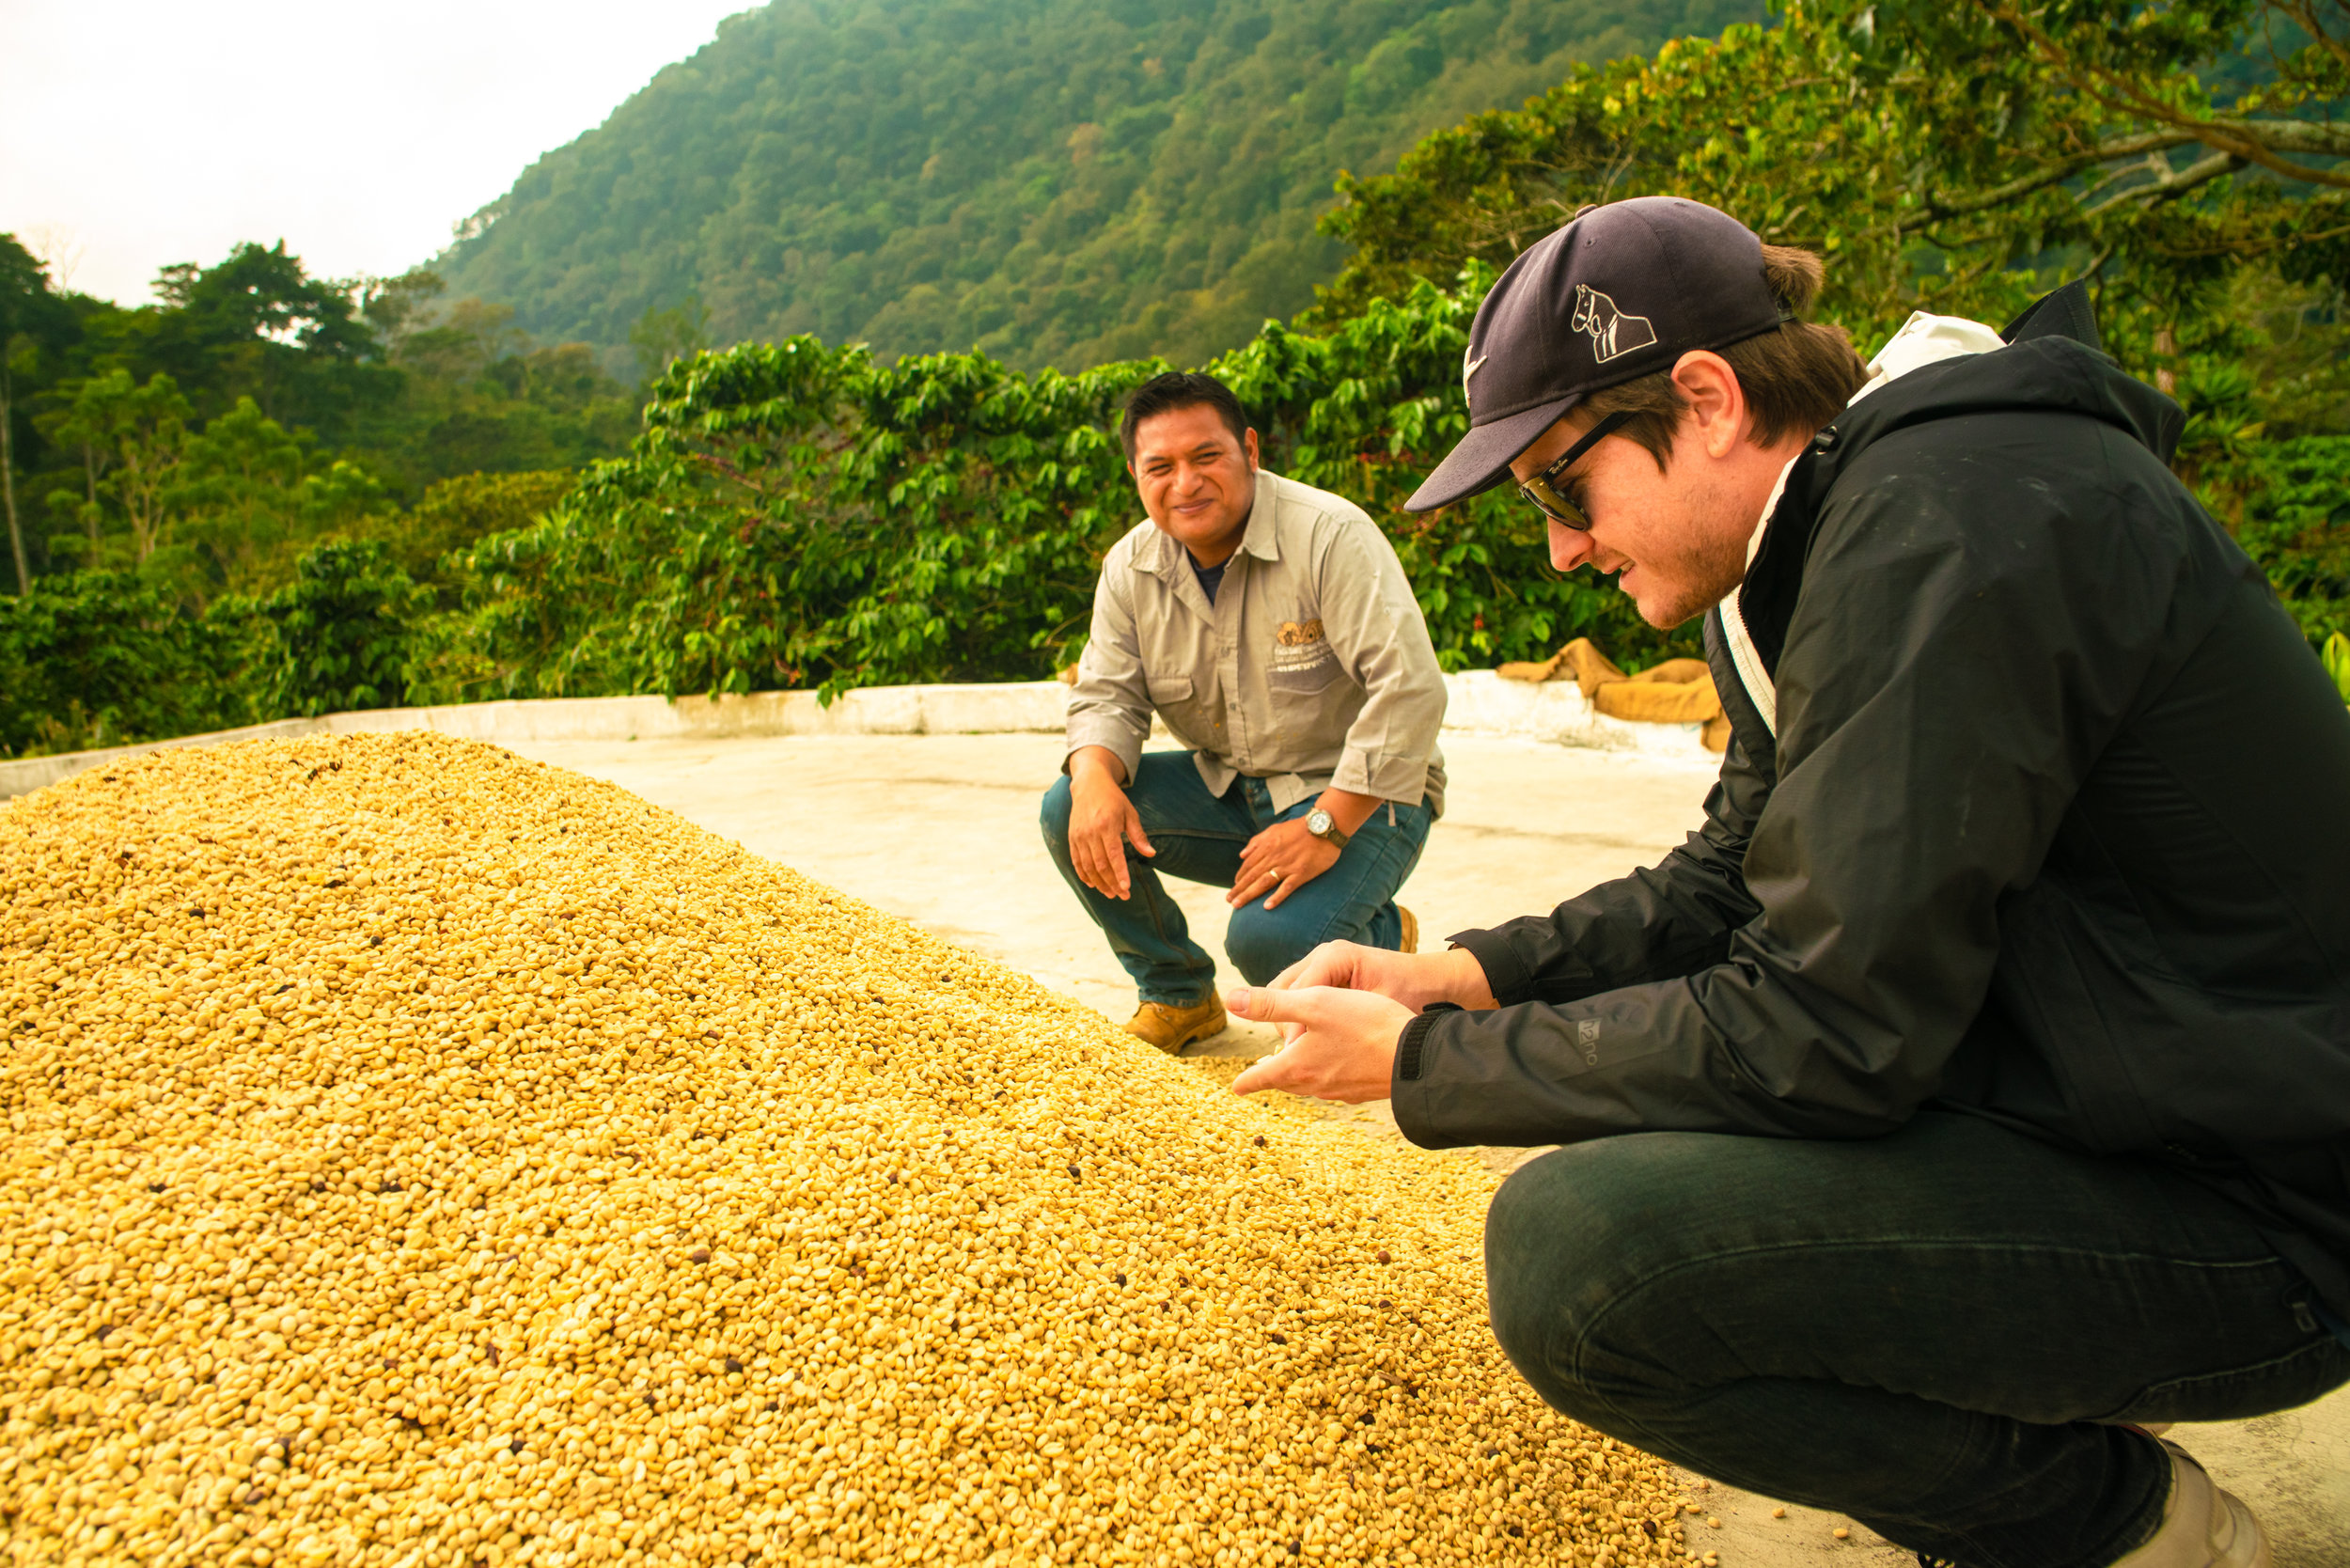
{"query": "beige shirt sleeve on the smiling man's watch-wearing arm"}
{"type": "Point", "coordinates": [1381, 638]}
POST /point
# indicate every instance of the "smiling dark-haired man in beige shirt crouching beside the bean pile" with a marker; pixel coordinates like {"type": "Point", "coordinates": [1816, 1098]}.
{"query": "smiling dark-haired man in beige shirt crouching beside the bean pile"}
{"type": "Point", "coordinates": [1273, 629]}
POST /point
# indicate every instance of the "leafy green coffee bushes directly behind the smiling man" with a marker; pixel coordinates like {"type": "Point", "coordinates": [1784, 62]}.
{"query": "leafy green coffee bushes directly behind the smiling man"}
{"type": "Point", "coordinates": [810, 516]}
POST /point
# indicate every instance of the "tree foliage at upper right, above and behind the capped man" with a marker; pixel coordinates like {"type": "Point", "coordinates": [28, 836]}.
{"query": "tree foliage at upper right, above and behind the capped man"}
{"type": "Point", "coordinates": [1961, 159]}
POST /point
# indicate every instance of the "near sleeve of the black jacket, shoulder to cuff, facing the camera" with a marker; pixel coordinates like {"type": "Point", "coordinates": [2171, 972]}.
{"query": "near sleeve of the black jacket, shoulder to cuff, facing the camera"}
{"type": "Point", "coordinates": [1966, 645]}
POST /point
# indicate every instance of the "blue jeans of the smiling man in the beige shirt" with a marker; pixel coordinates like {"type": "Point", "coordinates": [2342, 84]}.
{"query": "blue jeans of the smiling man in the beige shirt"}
{"type": "Point", "coordinates": [1200, 838]}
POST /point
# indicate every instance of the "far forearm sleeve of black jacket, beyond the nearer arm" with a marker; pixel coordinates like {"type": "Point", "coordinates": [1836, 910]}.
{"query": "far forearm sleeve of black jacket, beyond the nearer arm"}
{"type": "Point", "coordinates": [1653, 925]}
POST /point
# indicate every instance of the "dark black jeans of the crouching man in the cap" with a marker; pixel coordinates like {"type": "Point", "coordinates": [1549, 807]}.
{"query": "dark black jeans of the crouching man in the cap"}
{"type": "Point", "coordinates": [1928, 1332]}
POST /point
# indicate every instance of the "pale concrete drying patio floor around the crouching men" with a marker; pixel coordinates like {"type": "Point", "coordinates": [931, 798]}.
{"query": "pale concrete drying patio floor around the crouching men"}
{"type": "Point", "coordinates": [944, 831]}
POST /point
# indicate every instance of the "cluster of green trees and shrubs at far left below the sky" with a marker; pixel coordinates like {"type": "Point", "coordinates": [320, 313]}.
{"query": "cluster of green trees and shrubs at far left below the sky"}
{"type": "Point", "coordinates": [231, 504]}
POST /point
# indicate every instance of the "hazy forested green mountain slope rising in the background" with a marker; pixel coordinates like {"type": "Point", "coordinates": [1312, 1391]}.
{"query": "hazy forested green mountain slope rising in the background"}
{"type": "Point", "coordinates": [1059, 182]}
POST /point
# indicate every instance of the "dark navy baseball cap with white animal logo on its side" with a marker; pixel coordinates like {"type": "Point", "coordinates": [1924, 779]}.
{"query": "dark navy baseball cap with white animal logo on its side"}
{"type": "Point", "coordinates": [1616, 295]}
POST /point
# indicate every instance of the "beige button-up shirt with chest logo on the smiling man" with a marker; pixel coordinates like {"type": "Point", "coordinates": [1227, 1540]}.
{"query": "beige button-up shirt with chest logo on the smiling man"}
{"type": "Point", "coordinates": [1310, 669]}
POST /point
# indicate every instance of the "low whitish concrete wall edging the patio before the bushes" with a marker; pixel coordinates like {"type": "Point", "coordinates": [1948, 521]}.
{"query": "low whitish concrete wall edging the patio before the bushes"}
{"type": "Point", "coordinates": [1479, 704]}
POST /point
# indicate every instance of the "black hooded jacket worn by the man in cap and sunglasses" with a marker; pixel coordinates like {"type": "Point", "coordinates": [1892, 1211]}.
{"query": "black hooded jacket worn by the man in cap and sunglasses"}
{"type": "Point", "coordinates": [2055, 829]}
